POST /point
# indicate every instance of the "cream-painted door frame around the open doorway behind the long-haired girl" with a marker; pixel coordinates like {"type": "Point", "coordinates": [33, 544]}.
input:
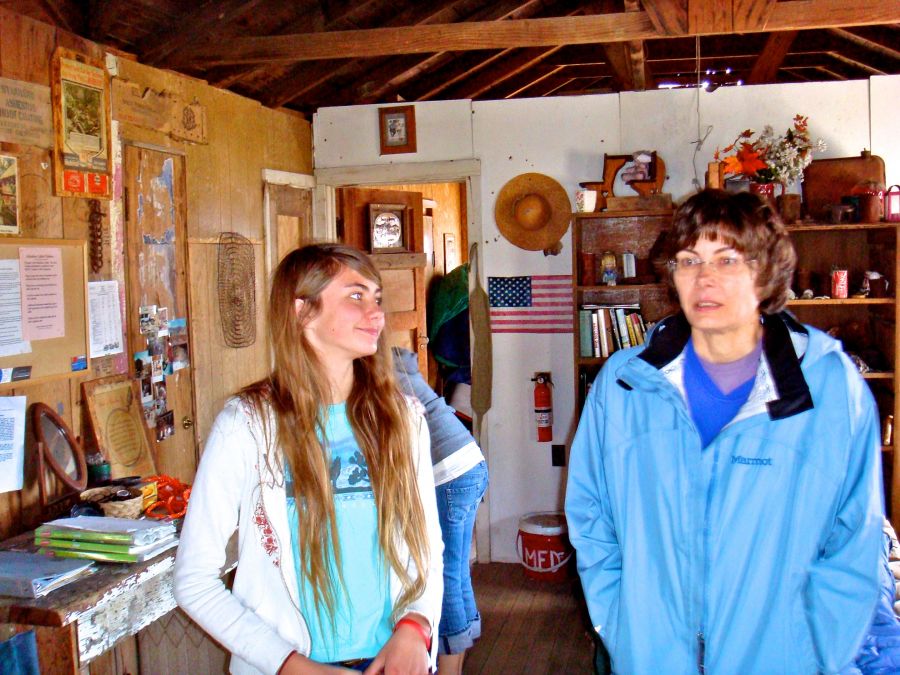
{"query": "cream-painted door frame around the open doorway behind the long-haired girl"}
{"type": "Point", "coordinates": [466, 171]}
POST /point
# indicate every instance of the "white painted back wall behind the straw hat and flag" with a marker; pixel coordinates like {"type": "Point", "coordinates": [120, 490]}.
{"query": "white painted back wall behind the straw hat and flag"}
{"type": "Point", "coordinates": [566, 138]}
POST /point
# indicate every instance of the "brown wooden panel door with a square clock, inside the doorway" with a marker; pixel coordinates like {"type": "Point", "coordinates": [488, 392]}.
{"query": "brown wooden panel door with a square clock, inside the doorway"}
{"type": "Point", "coordinates": [403, 274]}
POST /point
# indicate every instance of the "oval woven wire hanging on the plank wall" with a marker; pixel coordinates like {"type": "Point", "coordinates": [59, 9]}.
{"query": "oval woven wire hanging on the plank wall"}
{"type": "Point", "coordinates": [237, 289]}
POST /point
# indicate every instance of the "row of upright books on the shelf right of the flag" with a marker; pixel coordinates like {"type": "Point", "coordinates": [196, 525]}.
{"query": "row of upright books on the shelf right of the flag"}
{"type": "Point", "coordinates": [604, 329]}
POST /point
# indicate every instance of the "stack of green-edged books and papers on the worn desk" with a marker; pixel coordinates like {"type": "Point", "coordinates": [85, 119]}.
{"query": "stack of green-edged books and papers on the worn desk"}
{"type": "Point", "coordinates": [105, 539]}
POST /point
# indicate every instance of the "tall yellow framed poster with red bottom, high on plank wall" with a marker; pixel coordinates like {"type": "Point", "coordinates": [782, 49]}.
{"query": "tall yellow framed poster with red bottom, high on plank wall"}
{"type": "Point", "coordinates": [82, 155]}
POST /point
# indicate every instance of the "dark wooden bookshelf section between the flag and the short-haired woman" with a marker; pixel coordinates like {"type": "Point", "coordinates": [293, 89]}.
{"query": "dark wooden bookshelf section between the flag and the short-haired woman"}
{"type": "Point", "coordinates": [614, 233]}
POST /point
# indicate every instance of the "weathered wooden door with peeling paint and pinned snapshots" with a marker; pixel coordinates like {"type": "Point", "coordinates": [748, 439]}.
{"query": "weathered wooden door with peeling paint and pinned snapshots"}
{"type": "Point", "coordinates": [158, 315]}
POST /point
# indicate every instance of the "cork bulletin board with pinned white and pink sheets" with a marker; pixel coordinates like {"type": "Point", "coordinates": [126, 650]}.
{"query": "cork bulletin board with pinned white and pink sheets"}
{"type": "Point", "coordinates": [54, 313]}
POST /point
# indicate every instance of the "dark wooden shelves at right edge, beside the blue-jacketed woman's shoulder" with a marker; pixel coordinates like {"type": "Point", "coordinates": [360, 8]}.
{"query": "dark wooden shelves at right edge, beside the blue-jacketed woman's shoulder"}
{"type": "Point", "coordinates": [867, 324]}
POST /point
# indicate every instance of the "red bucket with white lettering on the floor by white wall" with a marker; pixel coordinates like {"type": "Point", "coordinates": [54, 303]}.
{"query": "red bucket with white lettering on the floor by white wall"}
{"type": "Point", "coordinates": [543, 546]}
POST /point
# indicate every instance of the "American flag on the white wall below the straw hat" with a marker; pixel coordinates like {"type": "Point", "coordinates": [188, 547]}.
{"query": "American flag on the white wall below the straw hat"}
{"type": "Point", "coordinates": [538, 304]}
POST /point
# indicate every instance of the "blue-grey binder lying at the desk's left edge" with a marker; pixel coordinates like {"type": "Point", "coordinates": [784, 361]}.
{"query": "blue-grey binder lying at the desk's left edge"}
{"type": "Point", "coordinates": [31, 575]}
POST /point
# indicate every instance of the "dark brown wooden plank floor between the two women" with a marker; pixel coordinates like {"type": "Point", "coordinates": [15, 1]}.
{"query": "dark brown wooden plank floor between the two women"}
{"type": "Point", "coordinates": [528, 626]}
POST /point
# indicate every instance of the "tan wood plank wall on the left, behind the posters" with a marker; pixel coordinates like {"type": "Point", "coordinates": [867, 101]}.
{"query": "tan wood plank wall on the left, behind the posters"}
{"type": "Point", "coordinates": [224, 193]}
